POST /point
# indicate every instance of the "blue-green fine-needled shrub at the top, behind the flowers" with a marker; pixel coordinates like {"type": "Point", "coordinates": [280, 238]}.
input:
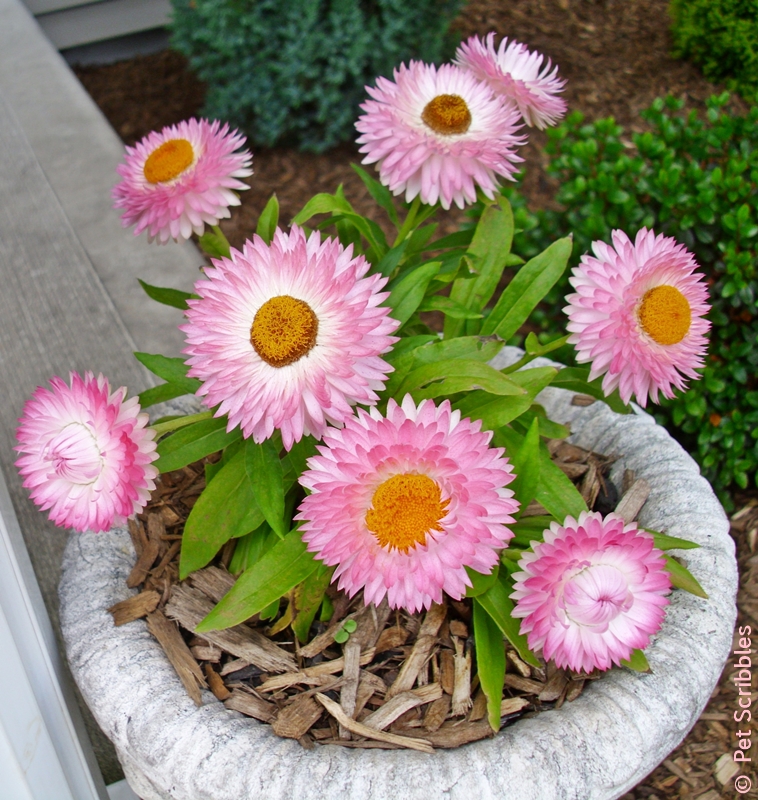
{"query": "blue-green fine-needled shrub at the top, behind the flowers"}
{"type": "Point", "coordinates": [294, 72]}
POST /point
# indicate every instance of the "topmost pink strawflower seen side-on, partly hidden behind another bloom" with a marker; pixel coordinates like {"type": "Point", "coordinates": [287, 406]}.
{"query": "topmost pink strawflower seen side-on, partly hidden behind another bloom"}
{"type": "Point", "coordinates": [516, 74]}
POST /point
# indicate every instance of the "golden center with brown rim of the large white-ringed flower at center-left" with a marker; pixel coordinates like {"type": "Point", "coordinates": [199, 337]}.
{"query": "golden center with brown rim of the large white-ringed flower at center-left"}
{"type": "Point", "coordinates": [284, 330]}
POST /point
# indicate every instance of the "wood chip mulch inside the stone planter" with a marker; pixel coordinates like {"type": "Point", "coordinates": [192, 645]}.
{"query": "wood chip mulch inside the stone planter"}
{"type": "Point", "coordinates": [370, 676]}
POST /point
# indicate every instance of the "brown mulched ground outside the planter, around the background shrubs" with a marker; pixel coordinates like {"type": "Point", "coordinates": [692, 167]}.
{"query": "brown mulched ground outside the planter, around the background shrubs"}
{"type": "Point", "coordinates": [615, 56]}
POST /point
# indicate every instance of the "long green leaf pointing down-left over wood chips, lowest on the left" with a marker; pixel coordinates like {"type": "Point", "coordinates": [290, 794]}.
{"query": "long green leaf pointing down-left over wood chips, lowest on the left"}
{"type": "Point", "coordinates": [281, 569]}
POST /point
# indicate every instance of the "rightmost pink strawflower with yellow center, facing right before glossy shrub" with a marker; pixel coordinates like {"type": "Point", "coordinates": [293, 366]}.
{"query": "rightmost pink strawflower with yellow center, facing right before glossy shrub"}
{"type": "Point", "coordinates": [638, 315]}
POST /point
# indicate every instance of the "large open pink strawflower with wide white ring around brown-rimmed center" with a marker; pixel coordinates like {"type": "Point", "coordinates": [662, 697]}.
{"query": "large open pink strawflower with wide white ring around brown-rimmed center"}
{"type": "Point", "coordinates": [289, 335]}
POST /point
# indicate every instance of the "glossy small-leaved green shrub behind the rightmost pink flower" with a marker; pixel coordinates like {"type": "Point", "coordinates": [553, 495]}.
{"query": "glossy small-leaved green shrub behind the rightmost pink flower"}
{"type": "Point", "coordinates": [696, 179]}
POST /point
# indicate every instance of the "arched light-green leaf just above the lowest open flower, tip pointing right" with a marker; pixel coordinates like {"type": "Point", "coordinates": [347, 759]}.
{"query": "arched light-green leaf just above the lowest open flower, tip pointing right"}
{"type": "Point", "coordinates": [456, 375]}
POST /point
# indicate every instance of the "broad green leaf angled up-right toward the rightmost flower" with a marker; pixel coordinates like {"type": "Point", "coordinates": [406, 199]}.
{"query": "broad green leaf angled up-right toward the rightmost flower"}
{"type": "Point", "coordinates": [529, 286]}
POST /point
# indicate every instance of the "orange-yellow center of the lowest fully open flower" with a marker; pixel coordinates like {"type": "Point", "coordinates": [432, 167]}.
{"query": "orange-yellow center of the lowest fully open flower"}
{"type": "Point", "coordinates": [404, 509]}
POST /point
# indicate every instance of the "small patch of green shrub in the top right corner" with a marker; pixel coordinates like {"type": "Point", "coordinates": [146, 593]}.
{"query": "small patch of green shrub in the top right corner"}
{"type": "Point", "coordinates": [721, 37]}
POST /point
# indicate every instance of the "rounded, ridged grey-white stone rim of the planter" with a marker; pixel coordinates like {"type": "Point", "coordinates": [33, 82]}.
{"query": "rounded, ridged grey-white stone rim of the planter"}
{"type": "Point", "coordinates": [595, 748]}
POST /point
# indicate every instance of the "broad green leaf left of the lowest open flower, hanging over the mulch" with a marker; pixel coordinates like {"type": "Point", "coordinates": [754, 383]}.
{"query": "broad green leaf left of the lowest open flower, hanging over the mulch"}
{"type": "Point", "coordinates": [225, 510]}
